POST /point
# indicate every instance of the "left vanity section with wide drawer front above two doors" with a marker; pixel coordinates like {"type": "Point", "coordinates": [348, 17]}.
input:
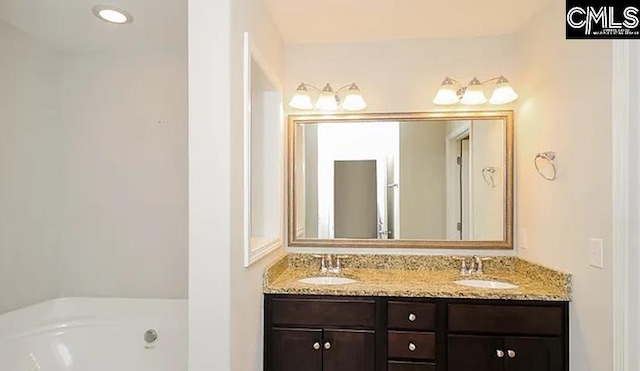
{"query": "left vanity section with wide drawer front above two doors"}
{"type": "Point", "coordinates": [320, 334]}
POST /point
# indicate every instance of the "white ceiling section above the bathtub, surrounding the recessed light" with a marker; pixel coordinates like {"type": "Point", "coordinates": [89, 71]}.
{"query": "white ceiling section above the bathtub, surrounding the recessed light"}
{"type": "Point", "coordinates": [70, 24]}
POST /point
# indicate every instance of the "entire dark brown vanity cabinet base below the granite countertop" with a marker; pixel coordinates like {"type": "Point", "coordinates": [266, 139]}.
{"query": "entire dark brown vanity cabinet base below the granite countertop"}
{"type": "Point", "coordinates": [320, 333]}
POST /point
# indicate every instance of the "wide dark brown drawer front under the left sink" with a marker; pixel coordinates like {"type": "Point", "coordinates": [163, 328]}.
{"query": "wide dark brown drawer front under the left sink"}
{"type": "Point", "coordinates": [322, 312]}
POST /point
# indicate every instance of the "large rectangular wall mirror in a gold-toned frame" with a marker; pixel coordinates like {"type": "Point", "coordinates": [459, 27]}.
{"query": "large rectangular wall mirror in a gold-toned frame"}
{"type": "Point", "coordinates": [425, 180]}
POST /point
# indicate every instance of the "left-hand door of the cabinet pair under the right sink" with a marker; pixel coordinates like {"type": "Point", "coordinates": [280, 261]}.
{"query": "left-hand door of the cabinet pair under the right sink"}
{"type": "Point", "coordinates": [477, 353]}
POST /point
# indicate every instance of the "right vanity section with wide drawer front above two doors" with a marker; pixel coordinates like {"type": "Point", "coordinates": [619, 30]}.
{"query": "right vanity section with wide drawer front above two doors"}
{"type": "Point", "coordinates": [491, 337]}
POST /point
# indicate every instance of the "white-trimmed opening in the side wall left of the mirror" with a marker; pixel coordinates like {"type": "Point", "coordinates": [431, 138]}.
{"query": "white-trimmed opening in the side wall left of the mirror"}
{"type": "Point", "coordinates": [263, 160]}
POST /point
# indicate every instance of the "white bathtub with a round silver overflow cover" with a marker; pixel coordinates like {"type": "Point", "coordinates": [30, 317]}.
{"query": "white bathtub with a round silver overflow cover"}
{"type": "Point", "coordinates": [84, 334]}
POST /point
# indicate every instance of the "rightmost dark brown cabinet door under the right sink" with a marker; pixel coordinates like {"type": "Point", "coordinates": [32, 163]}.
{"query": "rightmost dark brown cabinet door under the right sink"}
{"type": "Point", "coordinates": [533, 354]}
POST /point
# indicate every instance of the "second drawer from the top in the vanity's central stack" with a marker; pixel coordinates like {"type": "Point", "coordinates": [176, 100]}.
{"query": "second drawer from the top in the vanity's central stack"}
{"type": "Point", "coordinates": [412, 345]}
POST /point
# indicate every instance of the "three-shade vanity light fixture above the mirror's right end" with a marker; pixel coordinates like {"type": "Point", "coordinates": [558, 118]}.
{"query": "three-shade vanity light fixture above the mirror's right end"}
{"type": "Point", "coordinates": [452, 92]}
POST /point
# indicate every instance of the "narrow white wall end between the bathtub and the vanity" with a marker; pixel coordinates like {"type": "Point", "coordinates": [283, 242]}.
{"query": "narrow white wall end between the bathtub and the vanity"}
{"type": "Point", "coordinates": [209, 204]}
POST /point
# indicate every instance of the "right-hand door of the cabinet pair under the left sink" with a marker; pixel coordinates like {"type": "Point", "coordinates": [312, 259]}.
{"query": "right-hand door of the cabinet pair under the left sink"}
{"type": "Point", "coordinates": [349, 350]}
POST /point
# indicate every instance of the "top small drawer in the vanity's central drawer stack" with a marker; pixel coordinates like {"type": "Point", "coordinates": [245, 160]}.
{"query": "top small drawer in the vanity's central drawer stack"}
{"type": "Point", "coordinates": [411, 315]}
